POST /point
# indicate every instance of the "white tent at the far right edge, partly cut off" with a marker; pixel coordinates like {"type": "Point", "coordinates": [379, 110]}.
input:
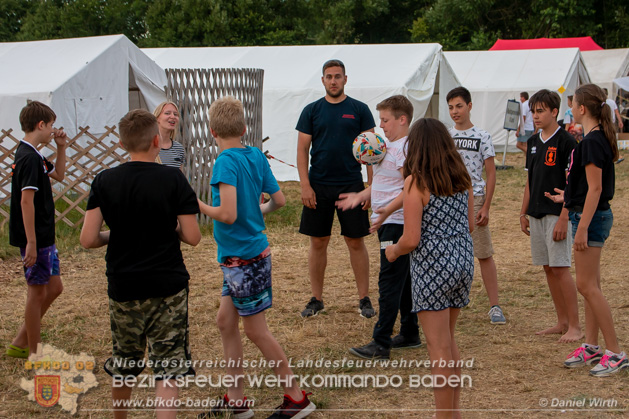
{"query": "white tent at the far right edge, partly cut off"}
{"type": "Point", "coordinates": [606, 65]}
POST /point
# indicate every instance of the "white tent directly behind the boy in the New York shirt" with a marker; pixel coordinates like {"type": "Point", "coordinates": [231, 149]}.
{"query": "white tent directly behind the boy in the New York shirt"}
{"type": "Point", "coordinates": [493, 77]}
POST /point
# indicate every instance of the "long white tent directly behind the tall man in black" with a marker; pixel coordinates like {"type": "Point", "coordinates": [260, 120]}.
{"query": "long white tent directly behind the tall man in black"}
{"type": "Point", "coordinates": [292, 79]}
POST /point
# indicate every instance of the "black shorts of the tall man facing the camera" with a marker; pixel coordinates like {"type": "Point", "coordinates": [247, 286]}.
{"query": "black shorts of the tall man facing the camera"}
{"type": "Point", "coordinates": [318, 222]}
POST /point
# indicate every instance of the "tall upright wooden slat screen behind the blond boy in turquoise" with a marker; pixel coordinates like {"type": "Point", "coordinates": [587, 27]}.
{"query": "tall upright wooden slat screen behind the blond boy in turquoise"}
{"type": "Point", "coordinates": [194, 90]}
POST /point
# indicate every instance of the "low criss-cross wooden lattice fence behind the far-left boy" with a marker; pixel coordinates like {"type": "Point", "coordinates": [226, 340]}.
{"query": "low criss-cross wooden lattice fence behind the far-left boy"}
{"type": "Point", "coordinates": [87, 154]}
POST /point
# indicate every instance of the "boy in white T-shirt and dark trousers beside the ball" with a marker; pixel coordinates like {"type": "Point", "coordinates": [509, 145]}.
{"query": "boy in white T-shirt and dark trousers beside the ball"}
{"type": "Point", "coordinates": [394, 281]}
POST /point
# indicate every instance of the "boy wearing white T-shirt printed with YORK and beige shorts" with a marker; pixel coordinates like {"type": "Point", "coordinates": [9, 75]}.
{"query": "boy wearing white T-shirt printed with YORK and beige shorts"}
{"type": "Point", "coordinates": [477, 151]}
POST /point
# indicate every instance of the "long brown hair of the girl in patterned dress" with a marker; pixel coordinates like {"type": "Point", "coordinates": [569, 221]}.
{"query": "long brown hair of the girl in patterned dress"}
{"type": "Point", "coordinates": [433, 161]}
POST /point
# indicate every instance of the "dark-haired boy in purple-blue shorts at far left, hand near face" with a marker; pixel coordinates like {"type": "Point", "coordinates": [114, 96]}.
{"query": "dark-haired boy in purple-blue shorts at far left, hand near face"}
{"type": "Point", "coordinates": [32, 220]}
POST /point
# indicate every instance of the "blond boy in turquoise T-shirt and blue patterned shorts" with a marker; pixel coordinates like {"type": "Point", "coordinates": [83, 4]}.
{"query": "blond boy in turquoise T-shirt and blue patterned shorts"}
{"type": "Point", "coordinates": [240, 175]}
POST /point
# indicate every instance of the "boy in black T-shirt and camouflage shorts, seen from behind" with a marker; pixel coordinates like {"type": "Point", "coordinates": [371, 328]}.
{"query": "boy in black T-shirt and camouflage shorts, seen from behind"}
{"type": "Point", "coordinates": [149, 208]}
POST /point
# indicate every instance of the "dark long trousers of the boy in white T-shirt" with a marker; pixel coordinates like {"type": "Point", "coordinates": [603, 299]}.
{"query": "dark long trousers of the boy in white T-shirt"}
{"type": "Point", "coordinates": [394, 284]}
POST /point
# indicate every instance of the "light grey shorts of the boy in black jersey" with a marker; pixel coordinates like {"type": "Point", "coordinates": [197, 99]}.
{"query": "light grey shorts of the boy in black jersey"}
{"type": "Point", "coordinates": [546, 251]}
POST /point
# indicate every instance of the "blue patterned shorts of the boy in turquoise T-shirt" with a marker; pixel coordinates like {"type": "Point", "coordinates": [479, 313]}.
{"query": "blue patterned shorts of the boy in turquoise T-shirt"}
{"type": "Point", "coordinates": [248, 283]}
